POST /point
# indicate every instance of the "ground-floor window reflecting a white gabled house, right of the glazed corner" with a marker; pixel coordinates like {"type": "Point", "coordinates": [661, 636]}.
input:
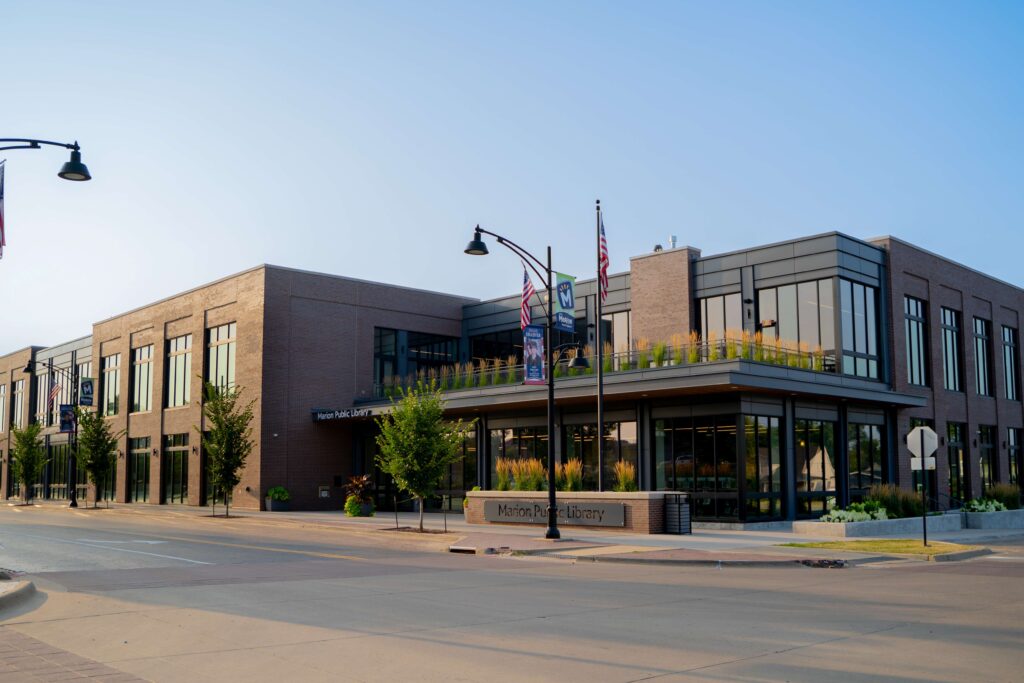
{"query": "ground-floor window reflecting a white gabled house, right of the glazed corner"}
{"type": "Point", "coordinates": [816, 466]}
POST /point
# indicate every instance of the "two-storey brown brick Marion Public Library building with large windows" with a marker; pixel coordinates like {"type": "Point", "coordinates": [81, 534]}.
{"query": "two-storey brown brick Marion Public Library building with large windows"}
{"type": "Point", "coordinates": [771, 383]}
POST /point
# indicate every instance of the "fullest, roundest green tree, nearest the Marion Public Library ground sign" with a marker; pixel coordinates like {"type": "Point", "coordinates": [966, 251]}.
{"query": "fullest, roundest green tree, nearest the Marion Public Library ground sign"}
{"type": "Point", "coordinates": [416, 445]}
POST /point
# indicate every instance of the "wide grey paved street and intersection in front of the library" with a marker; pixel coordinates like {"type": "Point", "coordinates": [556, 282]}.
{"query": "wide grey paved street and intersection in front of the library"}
{"type": "Point", "coordinates": [172, 599]}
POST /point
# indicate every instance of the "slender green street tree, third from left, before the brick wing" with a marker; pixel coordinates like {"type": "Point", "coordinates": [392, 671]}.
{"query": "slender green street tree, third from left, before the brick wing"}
{"type": "Point", "coordinates": [227, 441]}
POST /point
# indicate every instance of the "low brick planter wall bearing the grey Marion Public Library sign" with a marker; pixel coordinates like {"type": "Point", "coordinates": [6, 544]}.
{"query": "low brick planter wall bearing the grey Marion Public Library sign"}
{"type": "Point", "coordinates": [642, 513]}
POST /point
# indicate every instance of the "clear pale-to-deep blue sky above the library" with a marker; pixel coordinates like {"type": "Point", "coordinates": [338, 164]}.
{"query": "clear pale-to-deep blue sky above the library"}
{"type": "Point", "coordinates": [367, 140]}
